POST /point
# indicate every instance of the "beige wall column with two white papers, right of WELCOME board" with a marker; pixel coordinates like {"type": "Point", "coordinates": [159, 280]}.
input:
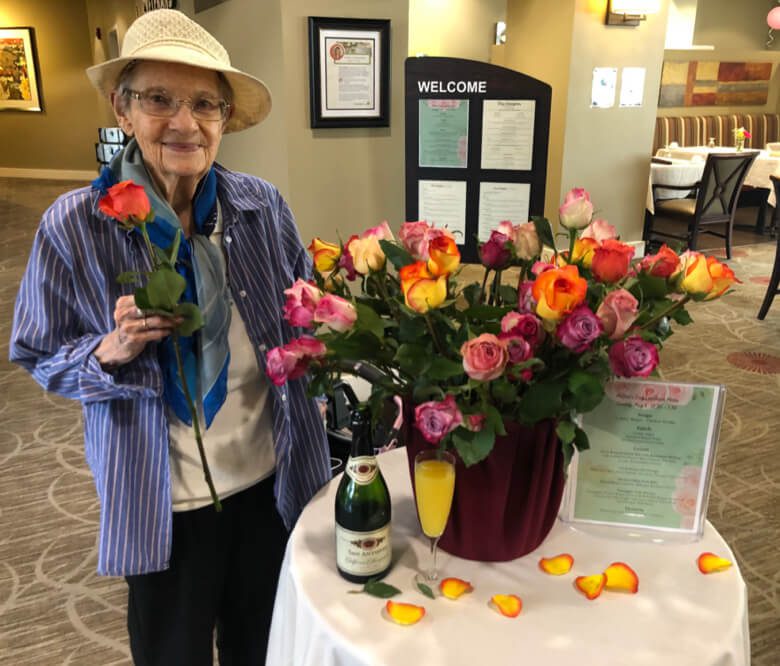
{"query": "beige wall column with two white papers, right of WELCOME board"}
{"type": "Point", "coordinates": [603, 150]}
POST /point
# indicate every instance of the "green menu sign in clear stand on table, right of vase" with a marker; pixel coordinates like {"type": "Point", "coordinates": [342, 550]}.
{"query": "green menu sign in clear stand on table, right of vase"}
{"type": "Point", "coordinates": [649, 466]}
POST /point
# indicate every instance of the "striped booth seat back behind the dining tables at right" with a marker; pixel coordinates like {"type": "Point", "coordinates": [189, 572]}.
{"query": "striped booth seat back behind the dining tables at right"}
{"type": "Point", "coordinates": [698, 130]}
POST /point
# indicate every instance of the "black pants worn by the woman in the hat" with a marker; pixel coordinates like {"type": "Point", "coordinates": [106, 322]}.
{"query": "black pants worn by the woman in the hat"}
{"type": "Point", "coordinates": [223, 575]}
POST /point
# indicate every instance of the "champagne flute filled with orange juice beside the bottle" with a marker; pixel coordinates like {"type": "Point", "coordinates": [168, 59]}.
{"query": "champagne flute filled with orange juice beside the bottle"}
{"type": "Point", "coordinates": [434, 482]}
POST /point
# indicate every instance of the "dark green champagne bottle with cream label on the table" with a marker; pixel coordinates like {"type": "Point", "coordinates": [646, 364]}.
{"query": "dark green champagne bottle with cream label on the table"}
{"type": "Point", "coordinates": [363, 549]}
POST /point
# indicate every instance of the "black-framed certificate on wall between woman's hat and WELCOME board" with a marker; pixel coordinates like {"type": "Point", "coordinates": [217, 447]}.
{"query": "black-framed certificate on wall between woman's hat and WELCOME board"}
{"type": "Point", "coordinates": [349, 78]}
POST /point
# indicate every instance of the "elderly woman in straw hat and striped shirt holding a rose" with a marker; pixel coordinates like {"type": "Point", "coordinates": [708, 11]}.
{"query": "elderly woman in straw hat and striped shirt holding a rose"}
{"type": "Point", "coordinates": [79, 332]}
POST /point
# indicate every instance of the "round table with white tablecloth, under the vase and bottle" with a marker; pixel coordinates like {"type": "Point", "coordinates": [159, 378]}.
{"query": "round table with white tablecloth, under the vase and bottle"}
{"type": "Point", "coordinates": [678, 617]}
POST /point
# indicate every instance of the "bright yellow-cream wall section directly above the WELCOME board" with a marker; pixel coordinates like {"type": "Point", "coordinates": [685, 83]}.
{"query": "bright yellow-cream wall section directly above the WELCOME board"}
{"type": "Point", "coordinates": [454, 28]}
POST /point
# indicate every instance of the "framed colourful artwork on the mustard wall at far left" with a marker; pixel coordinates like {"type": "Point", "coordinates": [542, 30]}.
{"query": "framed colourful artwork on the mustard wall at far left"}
{"type": "Point", "coordinates": [19, 80]}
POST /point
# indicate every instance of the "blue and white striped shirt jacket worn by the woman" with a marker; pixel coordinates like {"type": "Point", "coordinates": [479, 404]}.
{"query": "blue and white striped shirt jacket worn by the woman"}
{"type": "Point", "coordinates": [65, 306]}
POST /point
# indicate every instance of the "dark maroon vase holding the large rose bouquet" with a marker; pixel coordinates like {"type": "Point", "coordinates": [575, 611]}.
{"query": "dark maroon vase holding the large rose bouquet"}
{"type": "Point", "coordinates": [505, 505]}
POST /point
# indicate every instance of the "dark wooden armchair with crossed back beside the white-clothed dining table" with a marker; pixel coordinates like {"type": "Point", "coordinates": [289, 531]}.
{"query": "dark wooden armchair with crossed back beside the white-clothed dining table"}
{"type": "Point", "coordinates": [714, 204]}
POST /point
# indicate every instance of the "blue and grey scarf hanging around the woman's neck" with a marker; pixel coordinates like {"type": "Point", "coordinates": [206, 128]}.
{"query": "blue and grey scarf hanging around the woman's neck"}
{"type": "Point", "coordinates": [206, 354]}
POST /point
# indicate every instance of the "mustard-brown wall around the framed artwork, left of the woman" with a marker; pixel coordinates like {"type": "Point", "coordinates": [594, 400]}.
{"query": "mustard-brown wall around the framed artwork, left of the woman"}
{"type": "Point", "coordinates": [63, 136]}
